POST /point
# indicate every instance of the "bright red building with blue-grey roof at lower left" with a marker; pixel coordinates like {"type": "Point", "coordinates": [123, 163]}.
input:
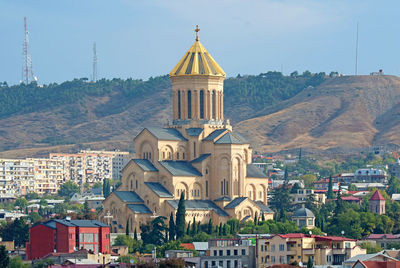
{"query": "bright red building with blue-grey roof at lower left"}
{"type": "Point", "coordinates": [67, 236]}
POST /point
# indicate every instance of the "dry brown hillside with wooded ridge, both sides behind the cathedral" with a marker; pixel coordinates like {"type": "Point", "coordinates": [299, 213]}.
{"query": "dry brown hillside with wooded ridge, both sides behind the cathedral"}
{"type": "Point", "coordinates": [273, 111]}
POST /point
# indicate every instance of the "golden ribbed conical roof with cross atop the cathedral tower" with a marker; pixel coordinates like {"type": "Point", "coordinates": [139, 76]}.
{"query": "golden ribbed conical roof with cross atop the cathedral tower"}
{"type": "Point", "coordinates": [197, 61]}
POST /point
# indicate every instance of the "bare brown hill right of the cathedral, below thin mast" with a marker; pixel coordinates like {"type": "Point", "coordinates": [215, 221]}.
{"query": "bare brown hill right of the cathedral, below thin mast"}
{"type": "Point", "coordinates": [340, 114]}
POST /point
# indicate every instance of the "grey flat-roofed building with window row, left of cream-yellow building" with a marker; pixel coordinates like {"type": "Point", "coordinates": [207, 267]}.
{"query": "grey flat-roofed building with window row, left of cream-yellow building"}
{"type": "Point", "coordinates": [235, 253]}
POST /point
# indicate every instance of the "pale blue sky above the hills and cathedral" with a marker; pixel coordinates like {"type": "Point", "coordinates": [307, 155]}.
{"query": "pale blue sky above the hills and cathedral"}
{"type": "Point", "coordinates": [142, 39]}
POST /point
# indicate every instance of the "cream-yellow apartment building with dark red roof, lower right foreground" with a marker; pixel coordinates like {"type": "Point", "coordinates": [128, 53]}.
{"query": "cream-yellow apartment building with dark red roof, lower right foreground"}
{"type": "Point", "coordinates": [297, 248]}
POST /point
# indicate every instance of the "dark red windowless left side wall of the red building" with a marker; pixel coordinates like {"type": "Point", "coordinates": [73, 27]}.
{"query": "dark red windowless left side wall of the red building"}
{"type": "Point", "coordinates": [41, 242]}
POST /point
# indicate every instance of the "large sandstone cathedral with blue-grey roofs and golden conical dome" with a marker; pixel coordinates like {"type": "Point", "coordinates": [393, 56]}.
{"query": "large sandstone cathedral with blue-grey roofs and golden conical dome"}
{"type": "Point", "coordinates": [197, 154]}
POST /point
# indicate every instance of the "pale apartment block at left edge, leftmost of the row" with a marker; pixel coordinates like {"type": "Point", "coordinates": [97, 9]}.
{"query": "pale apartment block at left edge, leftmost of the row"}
{"type": "Point", "coordinates": [16, 176]}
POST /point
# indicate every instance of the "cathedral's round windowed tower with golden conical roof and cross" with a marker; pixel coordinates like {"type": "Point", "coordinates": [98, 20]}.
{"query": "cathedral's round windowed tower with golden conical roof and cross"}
{"type": "Point", "coordinates": [197, 87]}
